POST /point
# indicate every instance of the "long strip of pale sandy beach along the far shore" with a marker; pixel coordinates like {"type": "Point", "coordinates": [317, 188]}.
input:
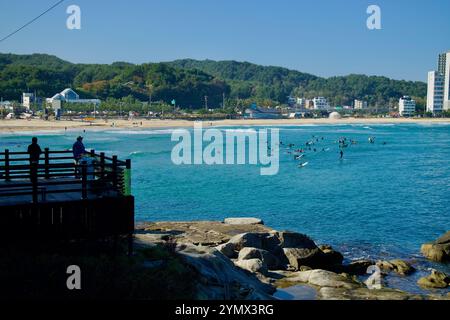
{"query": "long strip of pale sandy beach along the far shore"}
{"type": "Point", "coordinates": [37, 124]}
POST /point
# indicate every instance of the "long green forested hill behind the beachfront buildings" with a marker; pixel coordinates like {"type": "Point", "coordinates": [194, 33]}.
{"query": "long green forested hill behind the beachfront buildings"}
{"type": "Point", "coordinates": [188, 81]}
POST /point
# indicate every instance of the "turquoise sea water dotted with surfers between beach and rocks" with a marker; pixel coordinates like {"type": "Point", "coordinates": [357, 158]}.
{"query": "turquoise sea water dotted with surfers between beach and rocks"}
{"type": "Point", "coordinates": [380, 201]}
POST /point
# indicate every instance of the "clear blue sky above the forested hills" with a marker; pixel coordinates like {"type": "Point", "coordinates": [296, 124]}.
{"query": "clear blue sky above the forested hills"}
{"type": "Point", "coordinates": [322, 37]}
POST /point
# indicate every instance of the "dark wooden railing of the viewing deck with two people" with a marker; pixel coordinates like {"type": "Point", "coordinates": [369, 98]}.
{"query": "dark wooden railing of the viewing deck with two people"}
{"type": "Point", "coordinates": [57, 172]}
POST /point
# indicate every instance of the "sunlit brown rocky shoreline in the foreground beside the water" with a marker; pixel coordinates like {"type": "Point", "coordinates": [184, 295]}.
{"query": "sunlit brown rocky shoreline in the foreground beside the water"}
{"type": "Point", "coordinates": [241, 258]}
